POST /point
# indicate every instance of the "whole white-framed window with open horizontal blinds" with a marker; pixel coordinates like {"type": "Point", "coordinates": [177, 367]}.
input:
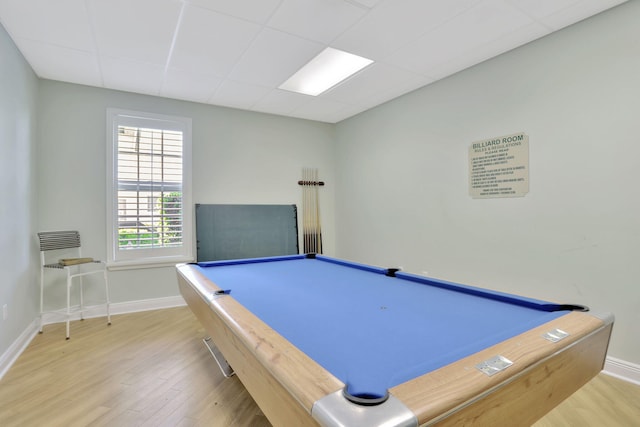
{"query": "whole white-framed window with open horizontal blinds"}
{"type": "Point", "coordinates": [148, 189]}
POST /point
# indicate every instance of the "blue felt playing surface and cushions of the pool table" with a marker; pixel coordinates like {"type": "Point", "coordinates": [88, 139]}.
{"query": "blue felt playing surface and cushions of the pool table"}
{"type": "Point", "coordinates": [370, 330]}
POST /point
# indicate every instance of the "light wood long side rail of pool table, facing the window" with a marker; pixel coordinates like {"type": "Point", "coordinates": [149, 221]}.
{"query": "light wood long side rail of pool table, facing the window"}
{"type": "Point", "coordinates": [283, 381]}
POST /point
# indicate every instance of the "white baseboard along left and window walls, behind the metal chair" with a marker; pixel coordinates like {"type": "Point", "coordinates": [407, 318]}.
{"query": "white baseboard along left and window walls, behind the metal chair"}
{"type": "Point", "coordinates": [8, 358]}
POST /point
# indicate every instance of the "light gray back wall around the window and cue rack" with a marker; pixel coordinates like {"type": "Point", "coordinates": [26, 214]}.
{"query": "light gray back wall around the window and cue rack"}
{"type": "Point", "coordinates": [238, 157]}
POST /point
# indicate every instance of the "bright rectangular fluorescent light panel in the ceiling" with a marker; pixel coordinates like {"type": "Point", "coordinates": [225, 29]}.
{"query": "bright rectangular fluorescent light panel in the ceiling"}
{"type": "Point", "coordinates": [325, 71]}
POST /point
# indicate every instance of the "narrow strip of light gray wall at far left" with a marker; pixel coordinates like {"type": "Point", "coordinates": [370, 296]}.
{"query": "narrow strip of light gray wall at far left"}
{"type": "Point", "coordinates": [18, 256]}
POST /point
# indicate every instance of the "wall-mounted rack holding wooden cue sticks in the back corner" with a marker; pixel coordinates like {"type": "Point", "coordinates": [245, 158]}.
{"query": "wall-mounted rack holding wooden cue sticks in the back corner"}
{"type": "Point", "coordinates": [311, 227]}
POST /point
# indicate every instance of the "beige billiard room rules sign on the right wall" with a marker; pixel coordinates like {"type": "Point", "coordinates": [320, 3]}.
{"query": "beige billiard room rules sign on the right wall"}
{"type": "Point", "coordinates": [499, 167]}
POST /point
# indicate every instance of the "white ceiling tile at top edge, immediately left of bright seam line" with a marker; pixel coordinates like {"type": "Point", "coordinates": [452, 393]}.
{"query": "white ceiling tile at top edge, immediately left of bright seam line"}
{"type": "Point", "coordinates": [139, 30]}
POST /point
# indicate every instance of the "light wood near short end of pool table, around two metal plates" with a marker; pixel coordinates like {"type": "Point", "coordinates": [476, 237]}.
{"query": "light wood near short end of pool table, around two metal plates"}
{"type": "Point", "coordinates": [543, 374]}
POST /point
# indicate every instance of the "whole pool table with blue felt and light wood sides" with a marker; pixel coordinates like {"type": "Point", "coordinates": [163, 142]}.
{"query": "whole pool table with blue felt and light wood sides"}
{"type": "Point", "coordinates": [323, 341]}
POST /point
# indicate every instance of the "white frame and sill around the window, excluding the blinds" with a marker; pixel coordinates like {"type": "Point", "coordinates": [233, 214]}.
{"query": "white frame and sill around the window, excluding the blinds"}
{"type": "Point", "coordinates": [156, 257]}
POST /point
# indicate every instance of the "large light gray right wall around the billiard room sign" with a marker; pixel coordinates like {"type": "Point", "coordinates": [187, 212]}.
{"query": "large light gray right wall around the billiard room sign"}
{"type": "Point", "coordinates": [402, 195]}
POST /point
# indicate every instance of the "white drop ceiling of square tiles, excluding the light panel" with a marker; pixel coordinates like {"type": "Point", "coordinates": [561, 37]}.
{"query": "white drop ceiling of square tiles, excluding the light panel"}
{"type": "Point", "coordinates": [236, 53]}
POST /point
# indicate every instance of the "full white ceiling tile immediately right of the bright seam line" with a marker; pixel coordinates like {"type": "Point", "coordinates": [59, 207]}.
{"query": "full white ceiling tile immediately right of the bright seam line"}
{"type": "Point", "coordinates": [210, 42]}
